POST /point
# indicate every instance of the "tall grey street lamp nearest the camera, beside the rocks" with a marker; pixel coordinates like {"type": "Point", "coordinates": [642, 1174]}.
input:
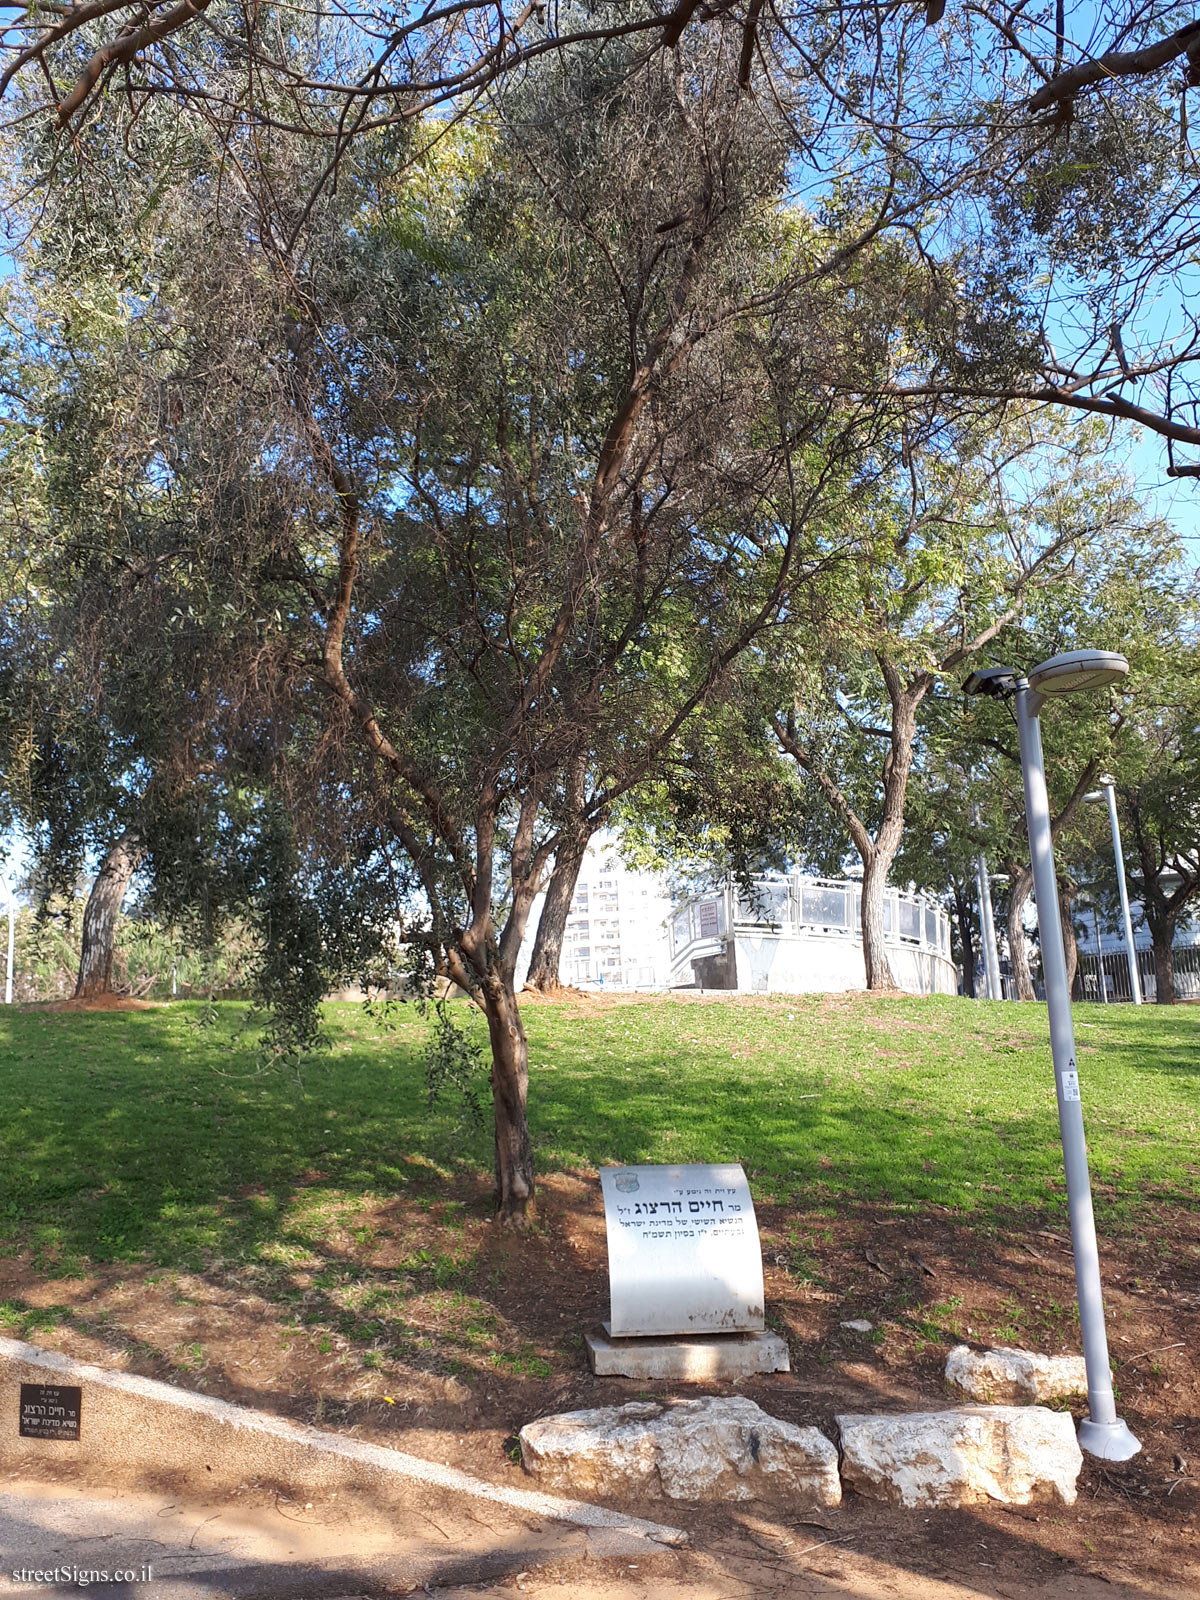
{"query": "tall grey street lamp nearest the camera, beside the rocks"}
{"type": "Point", "coordinates": [1102, 1433]}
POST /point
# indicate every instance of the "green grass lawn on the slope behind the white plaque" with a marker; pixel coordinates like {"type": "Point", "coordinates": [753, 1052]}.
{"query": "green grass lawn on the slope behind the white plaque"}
{"type": "Point", "coordinates": [140, 1135]}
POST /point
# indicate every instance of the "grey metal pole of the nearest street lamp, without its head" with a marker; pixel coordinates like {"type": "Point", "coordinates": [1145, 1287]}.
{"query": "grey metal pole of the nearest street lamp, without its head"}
{"type": "Point", "coordinates": [1103, 1433]}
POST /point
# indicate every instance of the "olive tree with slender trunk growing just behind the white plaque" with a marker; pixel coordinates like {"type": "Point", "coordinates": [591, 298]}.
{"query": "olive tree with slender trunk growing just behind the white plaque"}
{"type": "Point", "coordinates": [489, 478]}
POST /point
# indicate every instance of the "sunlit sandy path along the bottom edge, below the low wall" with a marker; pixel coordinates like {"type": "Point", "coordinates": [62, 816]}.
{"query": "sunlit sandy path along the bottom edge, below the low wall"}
{"type": "Point", "coordinates": [279, 1550]}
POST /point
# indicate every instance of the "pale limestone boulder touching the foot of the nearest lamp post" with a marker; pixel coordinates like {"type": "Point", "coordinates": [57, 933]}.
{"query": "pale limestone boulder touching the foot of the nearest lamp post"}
{"type": "Point", "coordinates": [1014, 1455]}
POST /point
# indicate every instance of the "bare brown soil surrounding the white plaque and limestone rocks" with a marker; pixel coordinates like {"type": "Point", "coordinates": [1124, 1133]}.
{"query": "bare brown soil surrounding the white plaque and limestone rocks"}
{"type": "Point", "coordinates": [926, 1282]}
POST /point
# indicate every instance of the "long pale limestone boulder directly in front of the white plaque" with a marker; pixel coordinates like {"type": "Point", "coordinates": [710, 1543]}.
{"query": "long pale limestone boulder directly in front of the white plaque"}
{"type": "Point", "coordinates": [697, 1450]}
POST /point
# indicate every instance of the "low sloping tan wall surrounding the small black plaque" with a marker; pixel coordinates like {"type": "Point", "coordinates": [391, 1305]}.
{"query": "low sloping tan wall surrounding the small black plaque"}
{"type": "Point", "coordinates": [143, 1426]}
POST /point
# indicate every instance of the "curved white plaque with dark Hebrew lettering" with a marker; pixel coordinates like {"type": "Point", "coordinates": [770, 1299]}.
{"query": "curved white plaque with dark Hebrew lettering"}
{"type": "Point", "coordinates": [684, 1250]}
